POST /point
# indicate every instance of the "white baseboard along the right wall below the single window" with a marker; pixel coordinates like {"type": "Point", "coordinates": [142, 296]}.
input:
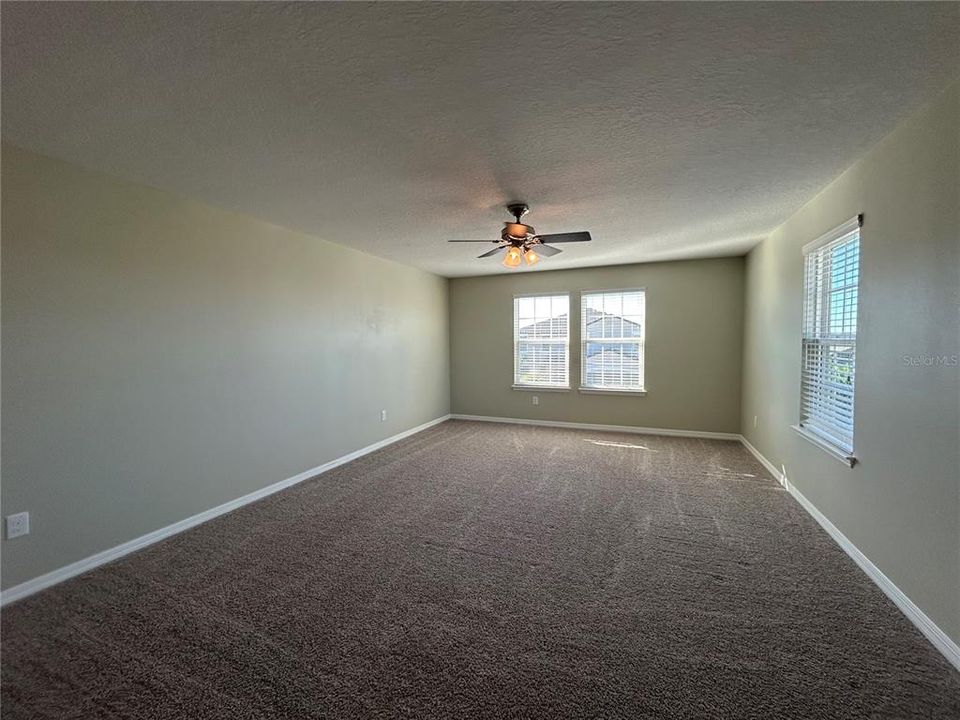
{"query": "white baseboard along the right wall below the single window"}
{"type": "Point", "coordinates": [938, 638]}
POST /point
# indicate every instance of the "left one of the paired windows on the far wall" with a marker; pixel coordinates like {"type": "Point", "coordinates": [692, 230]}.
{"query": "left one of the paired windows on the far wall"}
{"type": "Point", "coordinates": [541, 340]}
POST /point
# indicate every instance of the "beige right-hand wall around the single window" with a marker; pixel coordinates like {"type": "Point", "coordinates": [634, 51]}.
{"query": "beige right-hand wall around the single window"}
{"type": "Point", "coordinates": [901, 504]}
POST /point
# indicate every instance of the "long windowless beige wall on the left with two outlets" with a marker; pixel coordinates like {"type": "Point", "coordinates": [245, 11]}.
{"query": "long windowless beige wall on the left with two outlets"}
{"type": "Point", "coordinates": [161, 357]}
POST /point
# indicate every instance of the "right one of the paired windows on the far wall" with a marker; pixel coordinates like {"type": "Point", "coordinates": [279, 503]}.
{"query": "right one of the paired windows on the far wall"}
{"type": "Point", "coordinates": [613, 323]}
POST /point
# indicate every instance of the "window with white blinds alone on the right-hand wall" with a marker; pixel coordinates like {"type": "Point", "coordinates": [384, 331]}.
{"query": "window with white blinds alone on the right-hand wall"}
{"type": "Point", "coordinates": [831, 278]}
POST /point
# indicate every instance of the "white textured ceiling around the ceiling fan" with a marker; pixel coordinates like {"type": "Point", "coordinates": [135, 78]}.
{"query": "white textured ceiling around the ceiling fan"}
{"type": "Point", "coordinates": [667, 130]}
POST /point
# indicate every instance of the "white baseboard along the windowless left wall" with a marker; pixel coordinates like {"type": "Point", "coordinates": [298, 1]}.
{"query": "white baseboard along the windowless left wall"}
{"type": "Point", "coordinates": [46, 580]}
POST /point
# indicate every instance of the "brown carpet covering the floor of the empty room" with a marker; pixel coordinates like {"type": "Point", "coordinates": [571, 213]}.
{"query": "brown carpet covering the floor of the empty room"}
{"type": "Point", "coordinates": [486, 570]}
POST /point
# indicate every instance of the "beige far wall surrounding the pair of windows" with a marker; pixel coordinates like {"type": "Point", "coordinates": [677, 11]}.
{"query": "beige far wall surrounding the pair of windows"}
{"type": "Point", "coordinates": [693, 346]}
